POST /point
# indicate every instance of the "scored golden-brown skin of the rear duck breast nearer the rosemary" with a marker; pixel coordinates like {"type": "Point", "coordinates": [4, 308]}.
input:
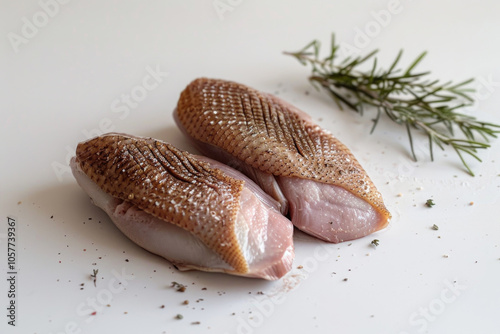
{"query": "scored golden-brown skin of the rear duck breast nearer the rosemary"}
{"type": "Point", "coordinates": [272, 136]}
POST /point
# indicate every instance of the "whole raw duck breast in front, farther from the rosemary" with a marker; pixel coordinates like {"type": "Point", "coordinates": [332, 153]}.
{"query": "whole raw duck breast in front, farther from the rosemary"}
{"type": "Point", "coordinates": [193, 211]}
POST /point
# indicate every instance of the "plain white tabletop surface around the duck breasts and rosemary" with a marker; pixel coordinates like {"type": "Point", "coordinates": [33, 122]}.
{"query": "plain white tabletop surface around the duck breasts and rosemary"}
{"type": "Point", "coordinates": [66, 80]}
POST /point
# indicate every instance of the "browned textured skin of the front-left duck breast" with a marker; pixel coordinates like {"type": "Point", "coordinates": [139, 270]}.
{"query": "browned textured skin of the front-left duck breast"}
{"type": "Point", "coordinates": [169, 184]}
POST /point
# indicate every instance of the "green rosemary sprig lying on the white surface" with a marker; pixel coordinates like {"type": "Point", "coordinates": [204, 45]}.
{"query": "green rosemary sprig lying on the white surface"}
{"type": "Point", "coordinates": [405, 96]}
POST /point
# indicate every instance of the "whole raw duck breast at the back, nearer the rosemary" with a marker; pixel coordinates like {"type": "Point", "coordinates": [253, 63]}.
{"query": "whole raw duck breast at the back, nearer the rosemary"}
{"type": "Point", "coordinates": [306, 169]}
